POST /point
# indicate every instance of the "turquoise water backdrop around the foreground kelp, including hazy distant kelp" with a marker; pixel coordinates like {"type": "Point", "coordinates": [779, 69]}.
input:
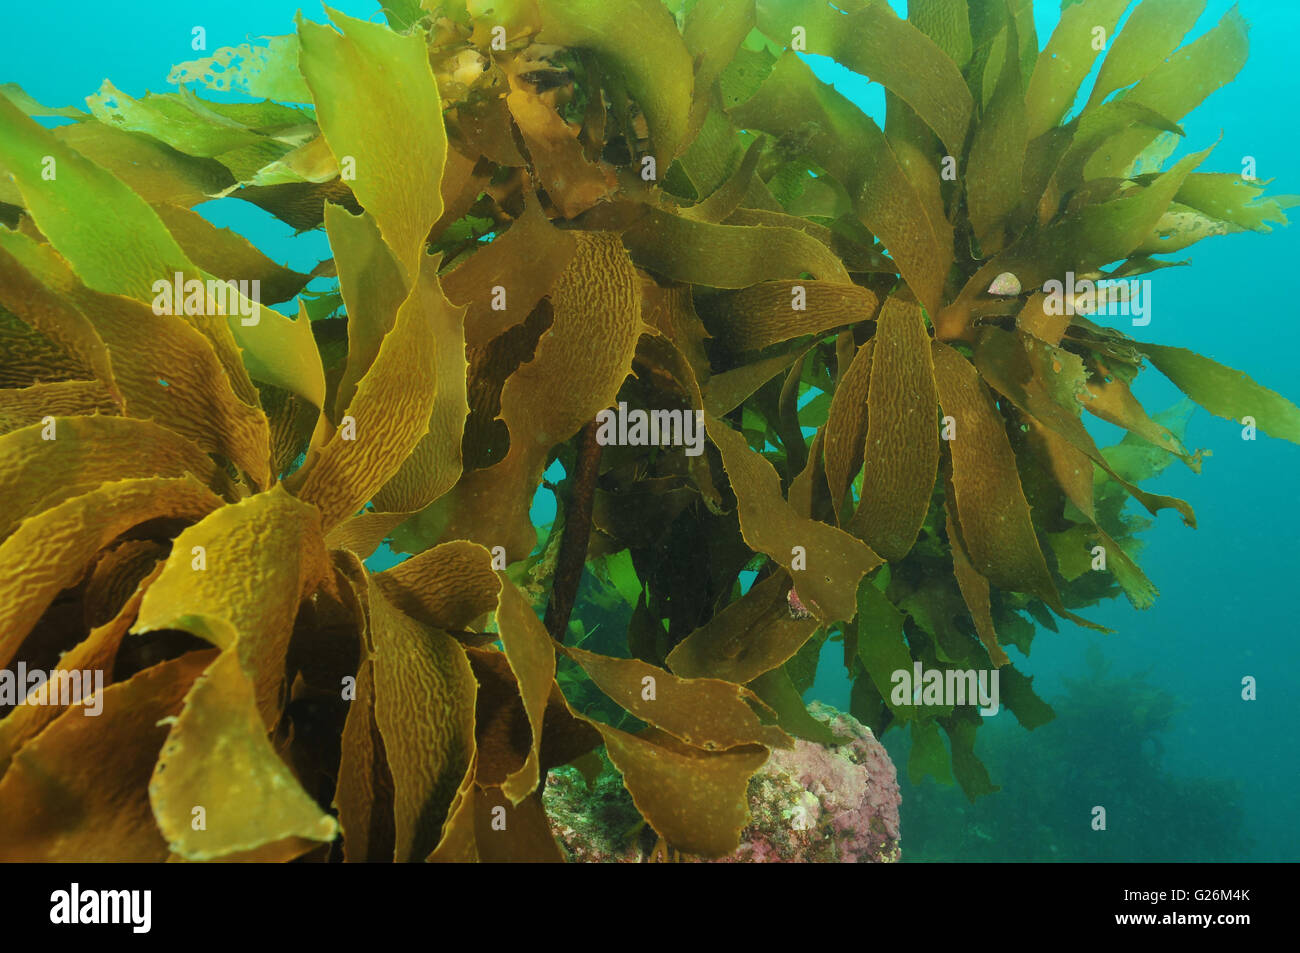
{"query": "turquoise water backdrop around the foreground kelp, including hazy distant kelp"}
{"type": "Point", "coordinates": [1150, 721]}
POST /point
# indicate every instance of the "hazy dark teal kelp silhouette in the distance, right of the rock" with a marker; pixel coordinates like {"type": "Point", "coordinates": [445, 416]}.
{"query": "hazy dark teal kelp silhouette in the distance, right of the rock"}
{"type": "Point", "coordinates": [1151, 812]}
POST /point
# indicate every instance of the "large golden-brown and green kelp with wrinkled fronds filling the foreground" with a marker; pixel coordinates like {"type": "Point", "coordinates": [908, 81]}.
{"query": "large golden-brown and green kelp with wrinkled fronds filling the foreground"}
{"type": "Point", "coordinates": [539, 210]}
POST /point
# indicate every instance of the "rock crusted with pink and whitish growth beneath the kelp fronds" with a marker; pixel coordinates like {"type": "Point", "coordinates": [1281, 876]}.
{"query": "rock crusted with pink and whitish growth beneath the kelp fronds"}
{"type": "Point", "coordinates": [812, 803]}
